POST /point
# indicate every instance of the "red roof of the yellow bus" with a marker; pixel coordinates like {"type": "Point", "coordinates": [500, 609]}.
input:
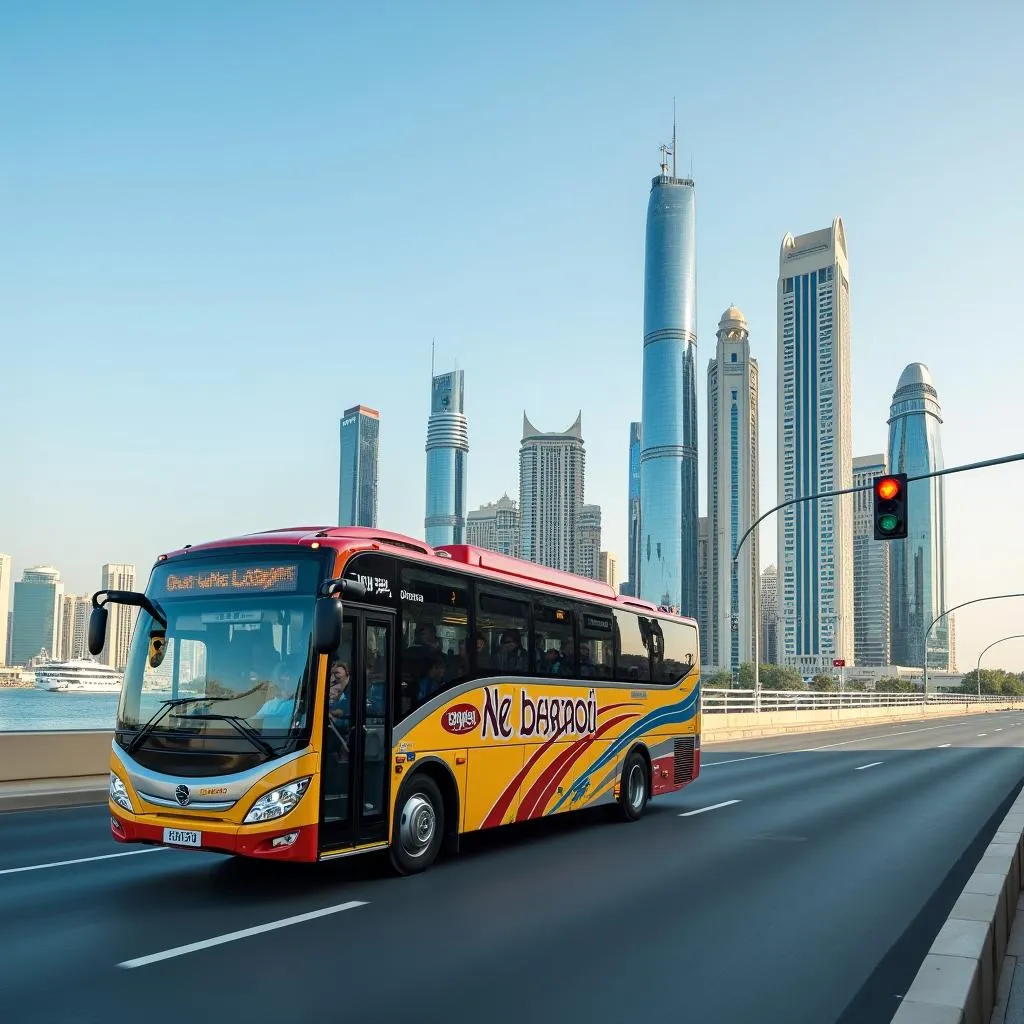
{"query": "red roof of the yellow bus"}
{"type": "Point", "coordinates": [482, 562]}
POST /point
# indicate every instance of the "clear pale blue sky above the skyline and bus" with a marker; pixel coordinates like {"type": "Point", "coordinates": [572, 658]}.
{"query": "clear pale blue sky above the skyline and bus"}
{"type": "Point", "coordinates": [226, 224]}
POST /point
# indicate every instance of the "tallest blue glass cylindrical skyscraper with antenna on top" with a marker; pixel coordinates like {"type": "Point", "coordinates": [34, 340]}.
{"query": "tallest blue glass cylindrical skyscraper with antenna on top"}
{"type": "Point", "coordinates": [669, 453]}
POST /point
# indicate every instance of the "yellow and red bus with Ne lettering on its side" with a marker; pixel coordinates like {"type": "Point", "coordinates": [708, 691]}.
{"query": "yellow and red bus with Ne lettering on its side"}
{"type": "Point", "coordinates": [318, 693]}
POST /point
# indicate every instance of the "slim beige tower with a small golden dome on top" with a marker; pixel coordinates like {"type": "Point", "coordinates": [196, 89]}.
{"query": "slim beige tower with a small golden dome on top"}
{"type": "Point", "coordinates": [733, 493]}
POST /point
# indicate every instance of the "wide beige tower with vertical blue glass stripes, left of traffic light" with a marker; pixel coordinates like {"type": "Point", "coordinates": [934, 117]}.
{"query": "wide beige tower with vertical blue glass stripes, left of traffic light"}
{"type": "Point", "coordinates": [816, 539]}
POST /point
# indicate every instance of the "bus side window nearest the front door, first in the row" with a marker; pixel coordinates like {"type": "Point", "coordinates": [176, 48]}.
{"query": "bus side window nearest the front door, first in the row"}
{"type": "Point", "coordinates": [434, 649]}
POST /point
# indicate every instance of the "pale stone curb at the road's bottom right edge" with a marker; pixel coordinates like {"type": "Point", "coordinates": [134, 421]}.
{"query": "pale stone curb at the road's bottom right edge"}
{"type": "Point", "coordinates": [957, 984]}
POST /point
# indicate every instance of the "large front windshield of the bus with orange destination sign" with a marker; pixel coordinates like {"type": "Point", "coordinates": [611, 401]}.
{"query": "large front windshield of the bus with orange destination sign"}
{"type": "Point", "coordinates": [233, 671]}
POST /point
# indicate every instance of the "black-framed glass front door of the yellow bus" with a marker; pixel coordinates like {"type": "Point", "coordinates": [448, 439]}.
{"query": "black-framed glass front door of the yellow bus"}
{"type": "Point", "coordinates": [355, 766]}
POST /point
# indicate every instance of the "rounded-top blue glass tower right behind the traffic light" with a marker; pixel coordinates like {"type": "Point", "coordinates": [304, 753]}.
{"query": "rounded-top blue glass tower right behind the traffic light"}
{"type": "Point", "coordinates": [918, 591]}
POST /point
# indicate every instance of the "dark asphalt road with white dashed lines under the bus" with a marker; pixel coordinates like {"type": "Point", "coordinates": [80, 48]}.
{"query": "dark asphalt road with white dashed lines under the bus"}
{"type": "Point", "coordinates": [807, 889]}
